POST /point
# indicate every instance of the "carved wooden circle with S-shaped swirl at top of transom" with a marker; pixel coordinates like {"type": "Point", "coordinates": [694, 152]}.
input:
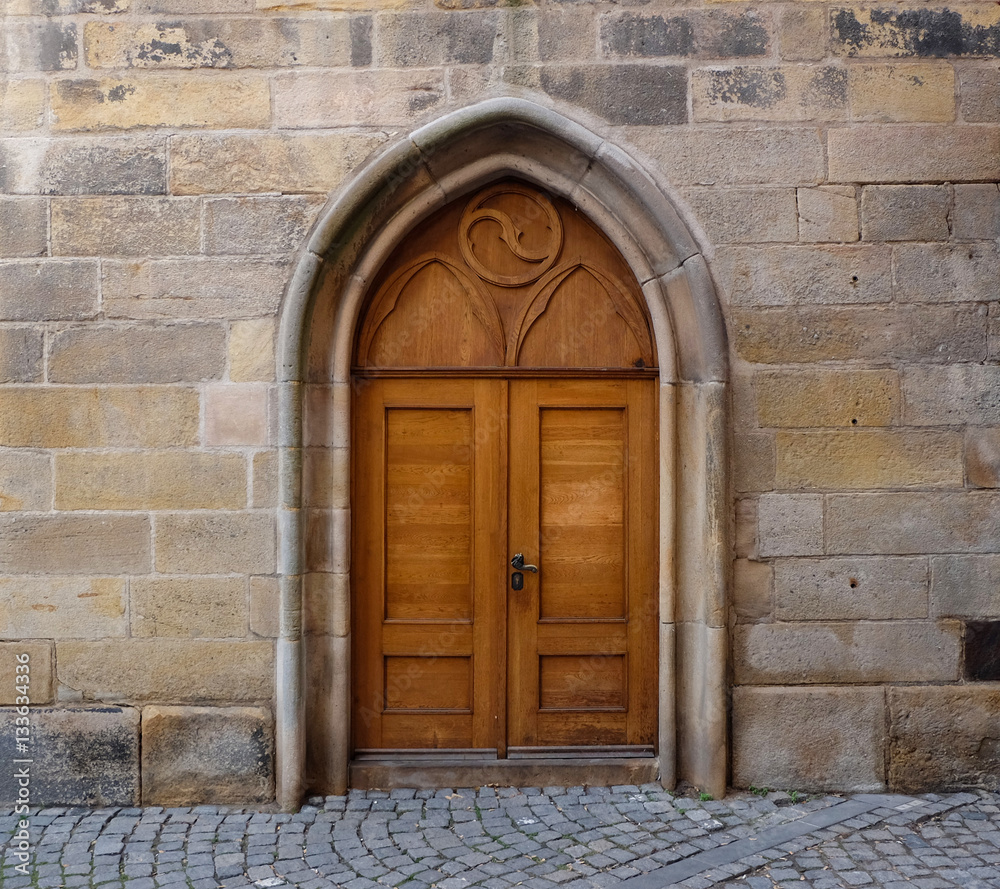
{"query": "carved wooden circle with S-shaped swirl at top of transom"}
{"type": "Point", "coordinates": [540, 259]}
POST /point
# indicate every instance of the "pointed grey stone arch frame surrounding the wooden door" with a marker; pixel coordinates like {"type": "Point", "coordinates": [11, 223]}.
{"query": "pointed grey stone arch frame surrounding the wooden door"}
{"type": "Point", "coordinates": [358, 229]}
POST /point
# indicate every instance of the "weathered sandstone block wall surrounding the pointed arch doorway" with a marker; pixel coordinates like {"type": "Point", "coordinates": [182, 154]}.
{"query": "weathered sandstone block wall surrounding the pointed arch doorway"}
{"type": "Point", "coordinates": [161, 162]}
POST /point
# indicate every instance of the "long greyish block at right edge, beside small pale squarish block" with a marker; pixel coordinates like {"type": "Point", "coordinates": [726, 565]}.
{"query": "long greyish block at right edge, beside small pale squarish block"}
{"type": "Point", "coordinates": [913, 523]}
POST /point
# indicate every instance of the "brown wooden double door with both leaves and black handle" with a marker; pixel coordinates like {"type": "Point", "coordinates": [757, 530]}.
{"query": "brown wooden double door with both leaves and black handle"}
{"type": "Point", "coordinates": [454, 649]}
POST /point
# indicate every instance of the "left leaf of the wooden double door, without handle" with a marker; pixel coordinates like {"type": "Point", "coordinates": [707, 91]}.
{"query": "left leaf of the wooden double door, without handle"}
{"type": "Point", "coordinates": [429, 532]}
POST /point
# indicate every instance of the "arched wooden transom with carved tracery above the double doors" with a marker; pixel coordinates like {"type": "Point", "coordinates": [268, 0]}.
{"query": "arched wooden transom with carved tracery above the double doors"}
{"type": "Point", "coordinates": [511, 277]}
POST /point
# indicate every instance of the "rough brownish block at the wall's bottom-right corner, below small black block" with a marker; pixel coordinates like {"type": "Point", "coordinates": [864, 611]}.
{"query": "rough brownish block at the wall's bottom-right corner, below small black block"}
{"type": "Point", "coordinates": [944, 738]}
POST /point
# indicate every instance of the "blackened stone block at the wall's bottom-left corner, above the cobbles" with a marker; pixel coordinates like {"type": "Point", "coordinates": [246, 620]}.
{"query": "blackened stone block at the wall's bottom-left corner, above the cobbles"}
{"type": "Point", "coordinates": [81, 756]}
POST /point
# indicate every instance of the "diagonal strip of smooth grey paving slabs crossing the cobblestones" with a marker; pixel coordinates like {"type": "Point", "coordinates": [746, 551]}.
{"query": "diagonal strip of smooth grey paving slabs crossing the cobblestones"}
{"type": "Point", "coordinates": [742, 856]}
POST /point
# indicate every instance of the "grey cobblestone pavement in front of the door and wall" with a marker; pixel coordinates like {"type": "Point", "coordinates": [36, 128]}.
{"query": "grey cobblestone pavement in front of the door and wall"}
{"type": "Point", "coordinates": [636, 837]}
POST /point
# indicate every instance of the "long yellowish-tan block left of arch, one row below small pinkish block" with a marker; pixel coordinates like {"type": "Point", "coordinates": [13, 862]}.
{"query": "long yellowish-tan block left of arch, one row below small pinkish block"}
{"type": "Point", "coordinates": [150, 480]}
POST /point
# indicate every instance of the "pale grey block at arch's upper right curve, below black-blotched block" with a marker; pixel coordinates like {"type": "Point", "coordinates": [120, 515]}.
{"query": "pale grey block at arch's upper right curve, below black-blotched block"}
{"type": "Point", "coordinates": [779, 155]}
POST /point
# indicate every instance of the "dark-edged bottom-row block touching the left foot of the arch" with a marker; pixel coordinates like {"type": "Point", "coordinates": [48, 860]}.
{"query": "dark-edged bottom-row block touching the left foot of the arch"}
{"type": "Point", "coordinates": [205, 755]}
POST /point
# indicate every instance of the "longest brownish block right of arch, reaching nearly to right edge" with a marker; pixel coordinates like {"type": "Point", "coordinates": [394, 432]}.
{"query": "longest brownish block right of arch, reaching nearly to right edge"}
{"type": "Point", "coordinates": [904, 333]}
